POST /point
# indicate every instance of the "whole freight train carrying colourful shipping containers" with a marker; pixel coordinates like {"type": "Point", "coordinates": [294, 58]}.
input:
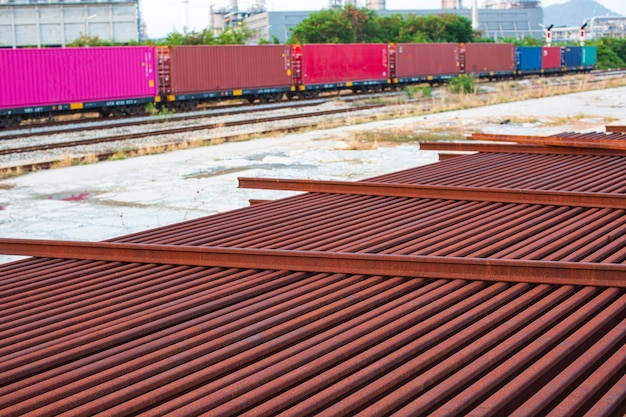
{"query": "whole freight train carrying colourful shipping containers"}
{"type": "Point", "coordinates": [37, 83]}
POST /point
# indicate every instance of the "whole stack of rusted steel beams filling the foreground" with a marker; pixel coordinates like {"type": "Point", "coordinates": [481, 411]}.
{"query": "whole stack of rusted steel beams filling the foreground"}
{"type": "Point", "coordinates": [488, 284]}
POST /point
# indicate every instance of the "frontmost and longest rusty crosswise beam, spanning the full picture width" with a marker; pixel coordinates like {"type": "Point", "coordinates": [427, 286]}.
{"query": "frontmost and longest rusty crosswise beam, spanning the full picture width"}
{"type": "Point", "coordinates": [545, 272]}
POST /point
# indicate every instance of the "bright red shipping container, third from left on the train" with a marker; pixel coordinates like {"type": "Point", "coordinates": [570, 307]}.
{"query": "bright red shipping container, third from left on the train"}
{"type": "Point", "coordinates": [334, 63]}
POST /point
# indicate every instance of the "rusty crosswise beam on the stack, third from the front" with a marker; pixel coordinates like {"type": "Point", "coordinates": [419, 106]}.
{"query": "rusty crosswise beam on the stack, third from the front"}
{"type": "Point", "coordinates": [515, 148]}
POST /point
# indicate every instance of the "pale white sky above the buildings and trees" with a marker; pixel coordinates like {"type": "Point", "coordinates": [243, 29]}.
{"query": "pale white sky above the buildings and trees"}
{"type": "Point", "coordinates": [165, 16]}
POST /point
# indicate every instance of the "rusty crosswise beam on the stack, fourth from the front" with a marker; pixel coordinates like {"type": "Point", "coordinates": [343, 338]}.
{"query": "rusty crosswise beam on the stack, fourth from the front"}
{"type": "Point", "coordinates": [613, 141]}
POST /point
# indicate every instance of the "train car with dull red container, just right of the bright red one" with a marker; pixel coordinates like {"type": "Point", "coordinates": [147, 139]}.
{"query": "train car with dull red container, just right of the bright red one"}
{"type": "Point", "coordinates": [425, 62]}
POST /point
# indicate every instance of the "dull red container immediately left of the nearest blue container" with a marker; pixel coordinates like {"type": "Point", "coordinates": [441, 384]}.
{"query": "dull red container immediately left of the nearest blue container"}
{"type": "Point", "coordinates": [488, 59]}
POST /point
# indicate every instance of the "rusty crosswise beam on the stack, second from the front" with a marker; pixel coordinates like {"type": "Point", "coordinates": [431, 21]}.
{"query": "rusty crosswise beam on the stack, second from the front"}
{"type": "Point", "coordinates": [496, 195]}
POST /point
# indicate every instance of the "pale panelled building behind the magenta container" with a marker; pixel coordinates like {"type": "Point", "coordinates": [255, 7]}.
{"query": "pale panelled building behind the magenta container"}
{"type": "Point", "coordinates": [60, 22]}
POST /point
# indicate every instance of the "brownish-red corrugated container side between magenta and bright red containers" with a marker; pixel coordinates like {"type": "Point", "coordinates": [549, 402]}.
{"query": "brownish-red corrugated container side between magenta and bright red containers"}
{"type": "Point", "coordinates": [200, 69]}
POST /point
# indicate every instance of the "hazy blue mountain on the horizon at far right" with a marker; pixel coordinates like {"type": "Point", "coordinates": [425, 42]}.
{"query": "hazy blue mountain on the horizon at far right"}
{"type": "Point", "coordinates": [574, 12]}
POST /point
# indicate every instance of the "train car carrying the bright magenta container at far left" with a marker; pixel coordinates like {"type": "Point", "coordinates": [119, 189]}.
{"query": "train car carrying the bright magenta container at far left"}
{"type": "Point", "coordinates": [44, 82]}
